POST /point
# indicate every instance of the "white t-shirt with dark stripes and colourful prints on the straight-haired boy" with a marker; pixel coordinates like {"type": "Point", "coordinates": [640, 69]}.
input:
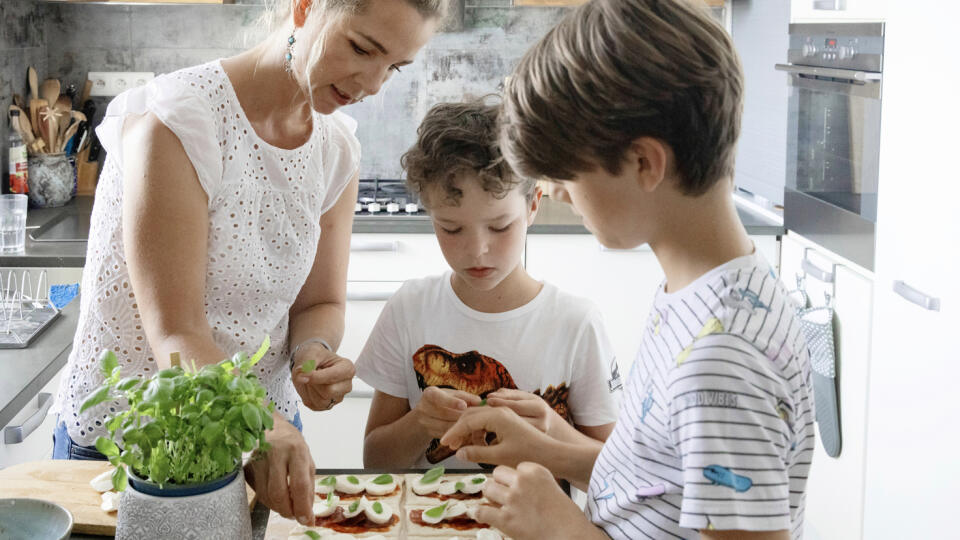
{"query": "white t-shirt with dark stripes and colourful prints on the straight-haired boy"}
{"type": "Point", "coordinates": [716, 424]}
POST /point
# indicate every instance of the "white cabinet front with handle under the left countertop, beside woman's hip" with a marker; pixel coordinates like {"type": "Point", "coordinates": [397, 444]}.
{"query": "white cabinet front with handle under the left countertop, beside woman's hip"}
{"type": "Point", "coordinates": [38, 444]}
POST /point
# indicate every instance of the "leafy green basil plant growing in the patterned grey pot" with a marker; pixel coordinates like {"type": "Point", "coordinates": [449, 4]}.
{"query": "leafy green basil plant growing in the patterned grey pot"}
{"type": "Point", "coordinates": [183, 426]}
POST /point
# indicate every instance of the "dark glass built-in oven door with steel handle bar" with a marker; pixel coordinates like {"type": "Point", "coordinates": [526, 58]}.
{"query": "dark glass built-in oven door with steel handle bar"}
{"type": "Point", "coordinates": [833, 143]}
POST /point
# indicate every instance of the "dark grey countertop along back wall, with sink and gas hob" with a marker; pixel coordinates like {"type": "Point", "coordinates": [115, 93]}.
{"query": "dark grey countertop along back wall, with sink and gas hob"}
{"type": "Point", "coordinates": [61, 231]}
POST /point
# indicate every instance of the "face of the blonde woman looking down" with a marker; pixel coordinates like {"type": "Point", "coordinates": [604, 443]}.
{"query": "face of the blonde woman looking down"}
{"type": "Point", "coordinates": [360, 51]}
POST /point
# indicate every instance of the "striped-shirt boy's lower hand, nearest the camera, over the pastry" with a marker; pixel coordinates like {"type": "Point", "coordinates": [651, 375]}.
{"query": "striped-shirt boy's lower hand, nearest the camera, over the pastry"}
{"type": "Point", "coordinates": [528, 503]}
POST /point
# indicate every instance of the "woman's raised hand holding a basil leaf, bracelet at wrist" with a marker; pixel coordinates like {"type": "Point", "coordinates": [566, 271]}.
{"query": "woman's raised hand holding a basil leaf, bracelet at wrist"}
{"type": "Point", "coordinates": [331, 379]}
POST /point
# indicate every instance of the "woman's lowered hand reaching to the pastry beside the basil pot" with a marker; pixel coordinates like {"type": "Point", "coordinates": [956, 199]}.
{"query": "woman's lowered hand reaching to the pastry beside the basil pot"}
{"type": "Point", "coordinates": [283, 475]}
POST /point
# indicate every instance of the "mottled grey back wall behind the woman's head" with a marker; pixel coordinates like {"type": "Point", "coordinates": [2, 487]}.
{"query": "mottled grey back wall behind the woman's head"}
{"type": "Point", "coordinates": [162, 38]}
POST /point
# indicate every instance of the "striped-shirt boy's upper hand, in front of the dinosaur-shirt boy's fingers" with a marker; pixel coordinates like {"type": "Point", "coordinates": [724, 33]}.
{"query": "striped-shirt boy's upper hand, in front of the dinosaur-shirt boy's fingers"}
{"type": "Point", "coordinates": [517, 440]}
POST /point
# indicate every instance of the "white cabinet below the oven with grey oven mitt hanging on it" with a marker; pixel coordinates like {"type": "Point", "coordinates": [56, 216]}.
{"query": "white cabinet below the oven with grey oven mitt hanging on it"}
{"type": "Point", "coordinates": [834, 502]}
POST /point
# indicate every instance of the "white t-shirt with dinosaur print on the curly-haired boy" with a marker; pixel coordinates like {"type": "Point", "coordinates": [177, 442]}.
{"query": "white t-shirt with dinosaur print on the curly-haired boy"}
{"type": "Point", "coordinates": [554, 346]}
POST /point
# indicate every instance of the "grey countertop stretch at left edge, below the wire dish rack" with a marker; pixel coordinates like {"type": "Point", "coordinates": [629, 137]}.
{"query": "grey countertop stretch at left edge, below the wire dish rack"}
{"type": "Point", "coordinates": [24, 372]}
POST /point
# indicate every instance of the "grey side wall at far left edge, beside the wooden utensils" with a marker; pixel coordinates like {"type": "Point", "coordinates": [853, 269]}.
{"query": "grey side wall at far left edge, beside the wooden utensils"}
{"type": "Point", "coordinates": [22, 44]}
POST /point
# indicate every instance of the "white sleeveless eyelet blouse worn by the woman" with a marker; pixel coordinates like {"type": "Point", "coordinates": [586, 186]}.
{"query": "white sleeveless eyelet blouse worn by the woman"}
{"type": "Point", "coordinates": [264, 207]}
